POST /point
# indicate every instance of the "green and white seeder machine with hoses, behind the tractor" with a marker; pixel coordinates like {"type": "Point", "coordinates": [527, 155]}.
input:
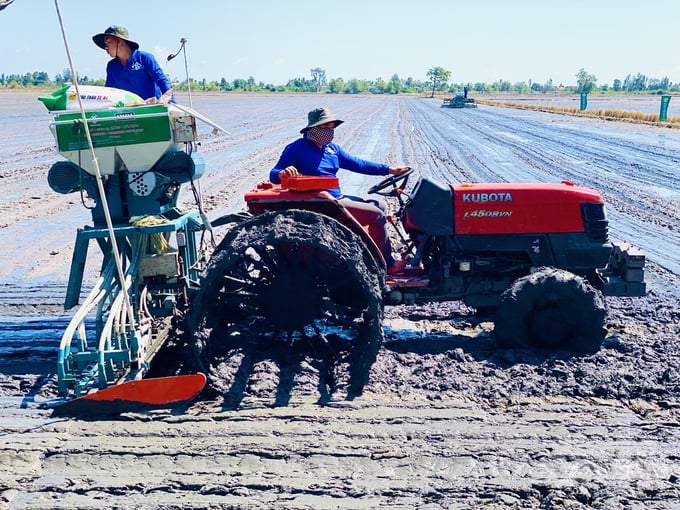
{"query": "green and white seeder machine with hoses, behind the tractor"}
{"type": "Point", "coordinates": [144, 154]}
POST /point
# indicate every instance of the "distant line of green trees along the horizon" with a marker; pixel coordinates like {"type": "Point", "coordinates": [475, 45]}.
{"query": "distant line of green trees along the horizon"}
{"type": "Point", "coordinates": [437, 82]}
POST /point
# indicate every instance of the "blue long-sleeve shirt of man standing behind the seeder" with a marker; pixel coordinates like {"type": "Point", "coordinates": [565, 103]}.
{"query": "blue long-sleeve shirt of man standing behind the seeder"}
{"type": "Point", "coordinates": [141, 74]}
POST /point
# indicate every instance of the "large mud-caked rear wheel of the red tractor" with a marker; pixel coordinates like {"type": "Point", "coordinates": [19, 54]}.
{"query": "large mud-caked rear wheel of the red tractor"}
{"type": "Point", "coordinates": [291, 276]}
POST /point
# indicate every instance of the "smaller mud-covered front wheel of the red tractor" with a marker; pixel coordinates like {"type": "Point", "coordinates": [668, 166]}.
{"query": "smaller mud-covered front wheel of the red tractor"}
{"type": "Point", "coordinates": [551, 308]}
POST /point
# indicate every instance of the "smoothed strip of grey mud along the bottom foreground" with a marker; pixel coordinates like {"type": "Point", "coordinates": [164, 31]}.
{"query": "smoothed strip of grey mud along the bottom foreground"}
{"type": "Point", "coordinates": [538, 453]}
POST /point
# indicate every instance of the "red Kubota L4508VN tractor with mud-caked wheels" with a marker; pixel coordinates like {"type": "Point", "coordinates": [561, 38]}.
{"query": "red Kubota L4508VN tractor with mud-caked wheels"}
{"type": "Point", "coordinates": [298, 265]}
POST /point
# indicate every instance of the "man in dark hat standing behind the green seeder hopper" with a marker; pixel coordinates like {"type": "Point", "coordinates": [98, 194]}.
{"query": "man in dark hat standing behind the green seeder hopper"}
{"type": "Point", "coordinates": [132, 69]}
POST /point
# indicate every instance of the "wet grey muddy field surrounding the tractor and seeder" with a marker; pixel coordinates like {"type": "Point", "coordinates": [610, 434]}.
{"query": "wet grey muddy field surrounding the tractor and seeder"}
{"type": "Point", "coordinates": [447, 420]}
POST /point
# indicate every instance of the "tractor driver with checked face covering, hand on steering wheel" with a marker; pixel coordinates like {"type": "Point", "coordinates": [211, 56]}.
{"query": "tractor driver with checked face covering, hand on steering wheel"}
{"type": "Point", "coordinates": [316, 154]}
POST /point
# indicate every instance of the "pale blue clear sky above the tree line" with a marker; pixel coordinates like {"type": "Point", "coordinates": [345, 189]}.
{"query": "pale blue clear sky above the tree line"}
{"type": "Point", "coordinates": [273, 41]}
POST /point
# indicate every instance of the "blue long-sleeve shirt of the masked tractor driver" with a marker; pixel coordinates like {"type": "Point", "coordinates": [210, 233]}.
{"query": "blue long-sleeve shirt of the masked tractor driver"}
{"type": "Point", "coordinates": [309, 159]}
